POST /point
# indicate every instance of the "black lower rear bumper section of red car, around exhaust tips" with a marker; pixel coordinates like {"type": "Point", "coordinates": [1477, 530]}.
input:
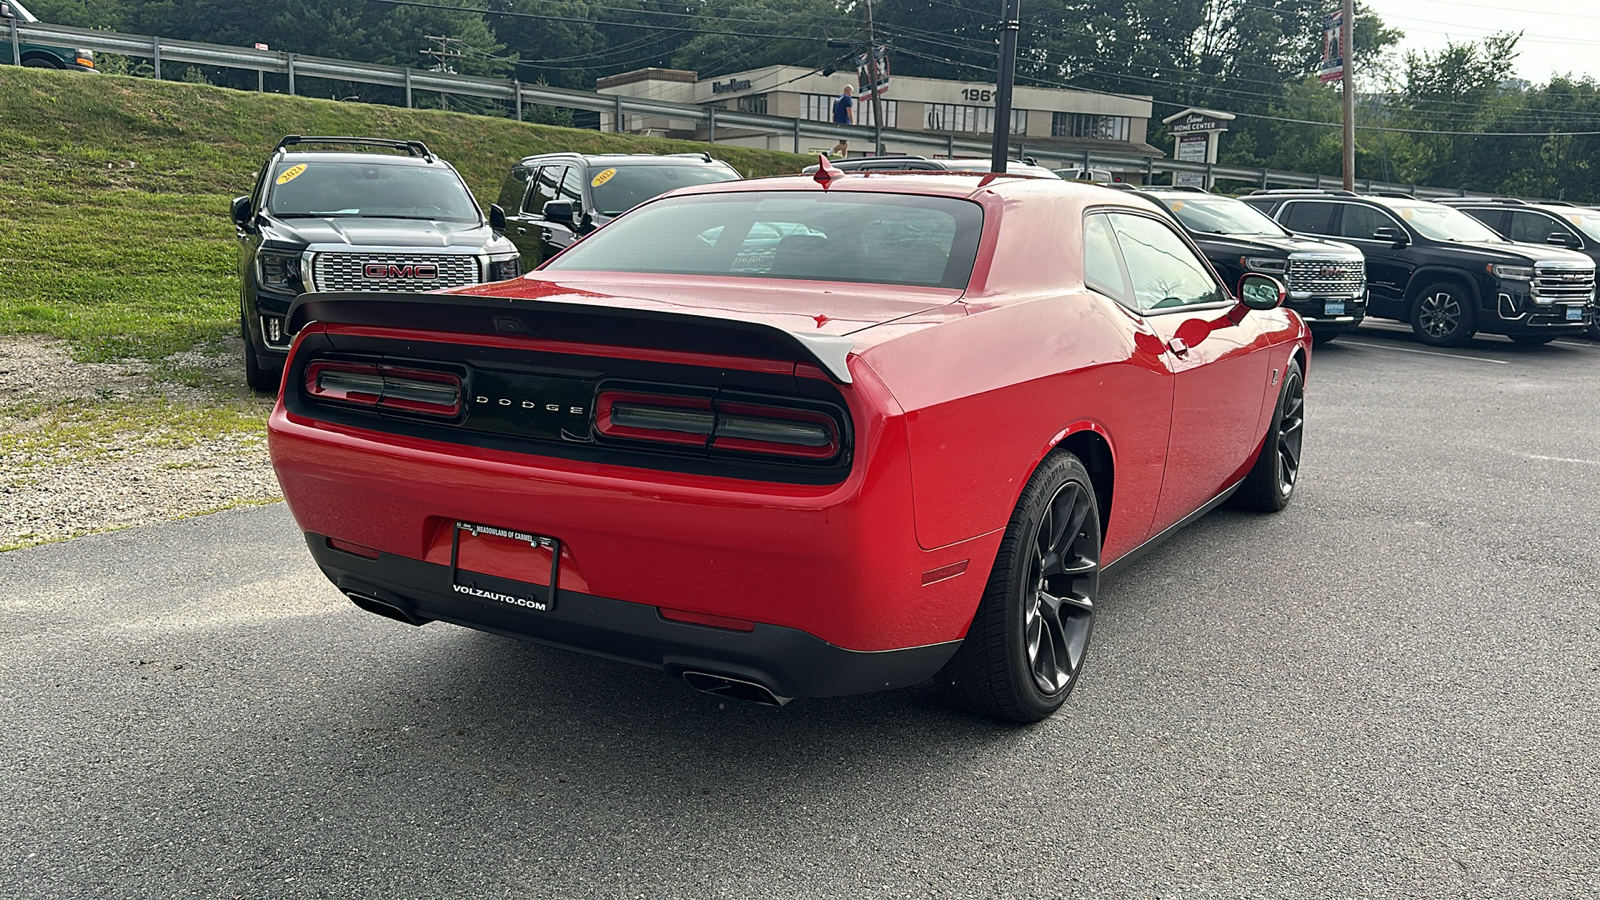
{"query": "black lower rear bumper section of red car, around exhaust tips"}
{"type": "Point", "coordinates": [785, 661]}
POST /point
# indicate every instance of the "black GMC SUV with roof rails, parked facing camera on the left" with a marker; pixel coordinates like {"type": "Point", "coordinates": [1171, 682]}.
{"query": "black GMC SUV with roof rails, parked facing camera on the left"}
{"type": "Point", "coordinates": [386, 217]}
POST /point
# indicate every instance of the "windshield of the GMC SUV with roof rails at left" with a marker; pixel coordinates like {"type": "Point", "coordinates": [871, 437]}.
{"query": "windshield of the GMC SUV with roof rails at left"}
{"type": "Point", "coordinates": [370, 190]}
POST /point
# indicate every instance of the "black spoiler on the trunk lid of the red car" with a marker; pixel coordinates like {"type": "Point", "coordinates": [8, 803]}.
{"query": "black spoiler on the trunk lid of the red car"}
{"type": "Point", "coordinates": [580, 323]}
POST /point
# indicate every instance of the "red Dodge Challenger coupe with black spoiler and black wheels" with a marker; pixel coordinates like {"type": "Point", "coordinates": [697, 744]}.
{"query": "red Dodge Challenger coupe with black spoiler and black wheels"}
{"type": "Point", "coordinates": [799, 436]}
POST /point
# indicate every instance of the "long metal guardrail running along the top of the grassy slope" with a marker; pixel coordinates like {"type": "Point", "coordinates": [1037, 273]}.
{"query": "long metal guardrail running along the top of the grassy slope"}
{"type": "Point", "coordinates": [519, 95]}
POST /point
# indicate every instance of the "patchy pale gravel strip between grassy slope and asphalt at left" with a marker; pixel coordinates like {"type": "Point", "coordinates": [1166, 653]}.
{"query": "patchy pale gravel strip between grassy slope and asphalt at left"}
{"type": "Point", "coordinates": [129, 478]}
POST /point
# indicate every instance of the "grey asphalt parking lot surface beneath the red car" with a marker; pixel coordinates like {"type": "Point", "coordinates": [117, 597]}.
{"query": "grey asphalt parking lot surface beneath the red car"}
{"type": "Point", "coordinates": [1390, 689]}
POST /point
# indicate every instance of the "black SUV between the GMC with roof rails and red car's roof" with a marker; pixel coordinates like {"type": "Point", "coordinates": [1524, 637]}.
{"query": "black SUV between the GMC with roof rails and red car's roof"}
{"type": "Point", "coordinates": [559, 198]}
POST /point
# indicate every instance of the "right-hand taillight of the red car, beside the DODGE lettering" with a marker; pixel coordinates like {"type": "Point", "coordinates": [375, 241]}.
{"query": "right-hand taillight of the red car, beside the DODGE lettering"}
{"type": "Point", "coordinates": [735, 427]}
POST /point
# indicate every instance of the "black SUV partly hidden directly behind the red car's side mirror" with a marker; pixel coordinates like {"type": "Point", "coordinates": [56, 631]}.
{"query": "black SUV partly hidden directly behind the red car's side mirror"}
{"type": "Point", "coordinates": [1327, 281]}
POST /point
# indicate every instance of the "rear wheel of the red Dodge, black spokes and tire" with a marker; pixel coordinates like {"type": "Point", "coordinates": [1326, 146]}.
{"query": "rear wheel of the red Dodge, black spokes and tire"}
{"type": "Point", "coordinates": [1028, 641]}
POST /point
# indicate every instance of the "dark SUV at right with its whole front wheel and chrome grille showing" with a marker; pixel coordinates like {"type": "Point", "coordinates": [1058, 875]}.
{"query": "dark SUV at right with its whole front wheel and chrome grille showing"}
{"type": "Point", "coordinates": [1444, 271]}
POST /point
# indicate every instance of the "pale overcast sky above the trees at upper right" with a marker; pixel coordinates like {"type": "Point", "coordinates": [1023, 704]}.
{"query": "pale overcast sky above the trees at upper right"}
{"type": "Point", "coordinates": [1559, 36]}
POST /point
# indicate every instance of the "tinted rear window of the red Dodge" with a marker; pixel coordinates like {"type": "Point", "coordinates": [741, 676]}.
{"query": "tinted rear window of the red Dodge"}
{"type": "Point", "coordinates": [895, 239]}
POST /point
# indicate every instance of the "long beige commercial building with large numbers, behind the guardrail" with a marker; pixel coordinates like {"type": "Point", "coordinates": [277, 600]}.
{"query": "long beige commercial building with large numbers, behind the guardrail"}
{"type": "Point", "coordinates": [1055, 126]}
